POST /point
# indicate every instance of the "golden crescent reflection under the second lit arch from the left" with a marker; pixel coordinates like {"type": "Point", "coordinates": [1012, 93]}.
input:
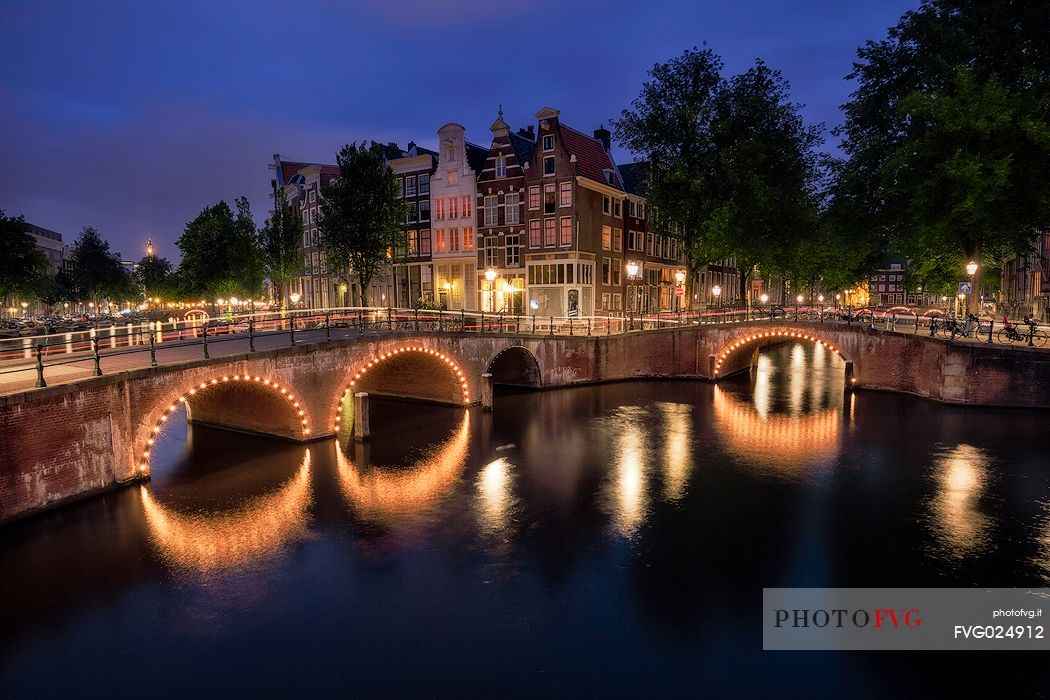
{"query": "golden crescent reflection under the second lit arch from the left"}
{"type": "Point", "coordinates": [380, 494]}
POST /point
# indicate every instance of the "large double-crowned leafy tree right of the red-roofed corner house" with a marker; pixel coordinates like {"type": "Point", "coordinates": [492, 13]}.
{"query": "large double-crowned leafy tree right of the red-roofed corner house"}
{"type": "Point", "coordinates": [732, 169]}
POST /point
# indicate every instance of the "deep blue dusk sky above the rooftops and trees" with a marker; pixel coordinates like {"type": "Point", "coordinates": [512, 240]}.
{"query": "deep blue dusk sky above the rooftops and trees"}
{"type": "Point", "coordinates": [132, 117]}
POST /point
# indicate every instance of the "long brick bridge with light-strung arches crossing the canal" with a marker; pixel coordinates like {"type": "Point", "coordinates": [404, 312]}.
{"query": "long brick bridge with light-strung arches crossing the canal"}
{"type": "Point", "coordinates": [66, 441]}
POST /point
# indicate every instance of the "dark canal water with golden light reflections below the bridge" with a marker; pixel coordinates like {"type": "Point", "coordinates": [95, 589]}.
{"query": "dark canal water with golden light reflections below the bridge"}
{"type": "Point", "coordinates": [603, 541]}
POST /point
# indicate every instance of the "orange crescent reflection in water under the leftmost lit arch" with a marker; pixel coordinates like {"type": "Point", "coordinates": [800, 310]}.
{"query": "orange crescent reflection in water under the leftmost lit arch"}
{"type": "Point", "coordinates": [209, 542]}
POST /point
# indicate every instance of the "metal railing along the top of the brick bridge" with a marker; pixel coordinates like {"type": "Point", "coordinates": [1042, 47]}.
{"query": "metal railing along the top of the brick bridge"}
{"type": "Point", "coordinates": [283, 329]}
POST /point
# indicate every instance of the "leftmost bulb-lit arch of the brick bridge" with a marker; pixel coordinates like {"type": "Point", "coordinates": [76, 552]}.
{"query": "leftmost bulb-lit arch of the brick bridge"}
{"type": "Point", "coordinates": [212, 398]}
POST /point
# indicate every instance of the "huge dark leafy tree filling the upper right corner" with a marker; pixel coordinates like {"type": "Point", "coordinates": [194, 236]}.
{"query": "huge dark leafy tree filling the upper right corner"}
{"type": "Point", "coordinates": [948, 137]}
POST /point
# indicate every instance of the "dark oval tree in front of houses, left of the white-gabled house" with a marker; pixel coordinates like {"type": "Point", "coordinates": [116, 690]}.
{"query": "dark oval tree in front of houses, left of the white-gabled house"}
{"type": "Point", "coordinates": [363, 217]}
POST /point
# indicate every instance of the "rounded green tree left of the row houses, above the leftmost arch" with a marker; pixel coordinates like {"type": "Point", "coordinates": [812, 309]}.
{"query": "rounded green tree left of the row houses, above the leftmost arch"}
{"type": "Point", "coordinates": [221, 256]}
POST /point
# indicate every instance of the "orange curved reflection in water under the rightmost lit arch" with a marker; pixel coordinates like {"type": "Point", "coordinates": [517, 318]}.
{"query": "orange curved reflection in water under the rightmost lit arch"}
{"type": "Point", "coordinates": [787, 442]}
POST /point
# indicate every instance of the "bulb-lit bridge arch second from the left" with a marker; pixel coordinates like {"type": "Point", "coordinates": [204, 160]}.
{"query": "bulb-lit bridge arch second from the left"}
{"type": "Point", "coordinates": [406, 372]}
